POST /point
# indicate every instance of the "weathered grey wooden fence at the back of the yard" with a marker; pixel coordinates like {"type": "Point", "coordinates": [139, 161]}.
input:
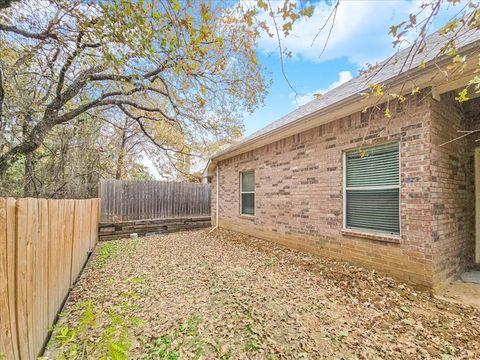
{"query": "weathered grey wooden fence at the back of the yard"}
{"type": "Point", "coordinates": [141, 200]}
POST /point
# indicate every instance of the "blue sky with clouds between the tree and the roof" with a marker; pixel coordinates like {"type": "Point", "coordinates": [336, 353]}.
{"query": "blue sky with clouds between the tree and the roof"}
{"type": "Point", "coordinates": [360, 36]}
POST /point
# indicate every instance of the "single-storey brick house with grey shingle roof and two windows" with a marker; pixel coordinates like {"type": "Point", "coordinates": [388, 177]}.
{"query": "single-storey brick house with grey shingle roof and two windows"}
{"type": "Point", "coordinates": [393, 194]}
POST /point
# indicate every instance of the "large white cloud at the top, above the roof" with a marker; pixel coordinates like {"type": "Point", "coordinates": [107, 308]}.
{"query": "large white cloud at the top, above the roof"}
{"type": "Point", "coordinates": [360, 33]}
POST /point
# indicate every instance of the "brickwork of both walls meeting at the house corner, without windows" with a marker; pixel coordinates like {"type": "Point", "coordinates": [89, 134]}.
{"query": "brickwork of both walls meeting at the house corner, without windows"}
{"type": "Point", "coordinates": [299, 197]}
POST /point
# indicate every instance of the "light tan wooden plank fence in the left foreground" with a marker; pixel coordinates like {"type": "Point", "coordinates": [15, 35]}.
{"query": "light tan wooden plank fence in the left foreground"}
{"type": "Point", "coordinates": [44, 245]}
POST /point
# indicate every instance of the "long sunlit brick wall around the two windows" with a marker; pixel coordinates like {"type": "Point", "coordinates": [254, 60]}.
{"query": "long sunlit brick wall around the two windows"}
{"type": "Point", "coordinates": [299, 195]}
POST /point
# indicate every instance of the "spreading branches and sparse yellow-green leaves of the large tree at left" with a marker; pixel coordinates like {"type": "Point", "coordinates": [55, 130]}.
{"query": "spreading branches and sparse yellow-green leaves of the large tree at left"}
{"type": "Point", "coordinates": [189, 66]}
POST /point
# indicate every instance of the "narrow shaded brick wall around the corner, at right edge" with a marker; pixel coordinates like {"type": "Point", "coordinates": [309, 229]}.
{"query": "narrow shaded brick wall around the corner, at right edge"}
{"type": "Point", "coordinates": [452, 194]}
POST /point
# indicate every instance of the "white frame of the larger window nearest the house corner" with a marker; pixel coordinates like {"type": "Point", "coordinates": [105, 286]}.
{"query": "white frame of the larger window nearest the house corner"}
{"type": "Point", "coordinates": [381, 187]}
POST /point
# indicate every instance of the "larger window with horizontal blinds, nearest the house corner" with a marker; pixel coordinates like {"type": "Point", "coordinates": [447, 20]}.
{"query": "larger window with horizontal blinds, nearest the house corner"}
{"type": "Point", "coordinates": [372, 189]}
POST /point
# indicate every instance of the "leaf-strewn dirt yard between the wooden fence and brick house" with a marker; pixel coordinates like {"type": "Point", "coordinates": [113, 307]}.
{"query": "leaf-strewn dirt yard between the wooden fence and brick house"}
{"type": "Point", "coordinates": [193, 295]}
